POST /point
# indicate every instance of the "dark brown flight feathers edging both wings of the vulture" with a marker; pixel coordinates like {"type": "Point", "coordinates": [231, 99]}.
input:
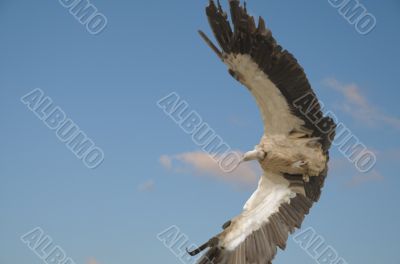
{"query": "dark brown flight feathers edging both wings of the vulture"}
{"type": "Point", "coordinates": [289, 77]}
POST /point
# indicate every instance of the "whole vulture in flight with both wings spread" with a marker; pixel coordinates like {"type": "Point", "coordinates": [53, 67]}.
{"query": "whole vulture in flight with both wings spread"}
{"type": "Point", "coordinates": [293, 152]}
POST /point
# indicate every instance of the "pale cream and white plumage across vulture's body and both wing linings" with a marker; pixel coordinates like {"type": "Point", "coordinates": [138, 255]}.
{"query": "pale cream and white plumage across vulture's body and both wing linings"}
{"type": "Point", "coordinates": [273, 189]}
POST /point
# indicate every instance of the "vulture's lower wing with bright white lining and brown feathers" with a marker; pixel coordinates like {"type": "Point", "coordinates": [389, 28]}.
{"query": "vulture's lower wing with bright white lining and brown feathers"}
{"type": "Point", "coordinates": [272, 213]}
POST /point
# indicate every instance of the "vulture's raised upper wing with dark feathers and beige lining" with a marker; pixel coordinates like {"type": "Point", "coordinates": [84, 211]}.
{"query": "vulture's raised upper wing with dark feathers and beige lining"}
{"type": "Point", "coordinates": [273, 76]}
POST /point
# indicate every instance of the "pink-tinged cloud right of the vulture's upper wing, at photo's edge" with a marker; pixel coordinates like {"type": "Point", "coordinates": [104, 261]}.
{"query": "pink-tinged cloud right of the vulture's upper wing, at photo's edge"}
{"type": "Point", "coordinates": [357, 105]}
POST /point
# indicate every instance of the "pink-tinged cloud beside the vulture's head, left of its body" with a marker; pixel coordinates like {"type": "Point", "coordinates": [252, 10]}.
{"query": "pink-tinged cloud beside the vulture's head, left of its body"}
{"type": "Point", "coordinates": [200, 163]}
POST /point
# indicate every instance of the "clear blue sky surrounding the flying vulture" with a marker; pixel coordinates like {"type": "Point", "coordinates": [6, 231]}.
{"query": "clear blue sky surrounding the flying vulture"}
{"type": "Point", "coordinates": [109, 84]}
